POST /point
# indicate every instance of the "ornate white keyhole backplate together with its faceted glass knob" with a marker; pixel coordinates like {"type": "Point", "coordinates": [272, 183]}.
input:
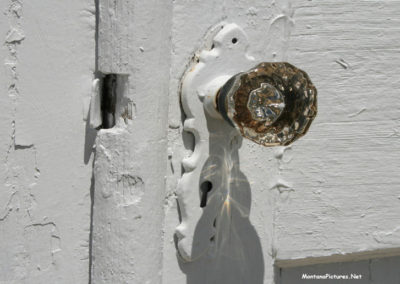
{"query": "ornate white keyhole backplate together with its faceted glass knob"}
{"type": "Point", "coordinates": [226, 97]}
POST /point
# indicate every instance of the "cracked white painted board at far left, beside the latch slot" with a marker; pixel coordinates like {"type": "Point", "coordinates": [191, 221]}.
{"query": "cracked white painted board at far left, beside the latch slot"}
{"type": "Point", "coordinates": [46, 64]}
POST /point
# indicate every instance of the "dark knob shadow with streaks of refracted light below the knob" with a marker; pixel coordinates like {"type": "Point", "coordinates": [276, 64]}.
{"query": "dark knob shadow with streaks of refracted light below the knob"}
{"type": "Point", "coordinates": [235, 254]}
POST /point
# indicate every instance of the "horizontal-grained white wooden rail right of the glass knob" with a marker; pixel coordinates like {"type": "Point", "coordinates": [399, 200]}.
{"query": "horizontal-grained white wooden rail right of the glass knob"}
{"type": "Point", "coordinates": [345, 173]}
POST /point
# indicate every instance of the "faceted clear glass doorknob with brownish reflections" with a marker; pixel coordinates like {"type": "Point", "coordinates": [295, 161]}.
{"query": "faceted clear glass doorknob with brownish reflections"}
{"type": "Point", "coordinates": [271, 104]}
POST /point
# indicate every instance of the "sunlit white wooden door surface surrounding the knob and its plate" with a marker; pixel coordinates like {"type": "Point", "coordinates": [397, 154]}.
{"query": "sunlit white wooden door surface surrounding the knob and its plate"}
{"type": "Point", "coordinates": [336, 191]}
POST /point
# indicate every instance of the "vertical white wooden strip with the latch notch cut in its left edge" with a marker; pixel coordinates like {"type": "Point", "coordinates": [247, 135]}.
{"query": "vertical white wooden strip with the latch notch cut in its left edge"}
{"type": "Point", "coordinates": [131, 161]}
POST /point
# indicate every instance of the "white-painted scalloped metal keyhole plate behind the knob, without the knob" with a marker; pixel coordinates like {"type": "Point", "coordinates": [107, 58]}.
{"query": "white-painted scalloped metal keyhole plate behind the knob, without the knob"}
{"type": "Point", "coordinates": [214, 158]}
